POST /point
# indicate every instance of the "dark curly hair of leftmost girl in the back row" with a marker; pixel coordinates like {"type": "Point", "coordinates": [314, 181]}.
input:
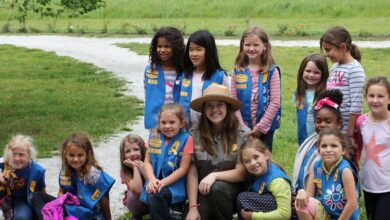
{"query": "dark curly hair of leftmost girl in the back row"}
{"type": "Point", "coordinates": [173, 35]}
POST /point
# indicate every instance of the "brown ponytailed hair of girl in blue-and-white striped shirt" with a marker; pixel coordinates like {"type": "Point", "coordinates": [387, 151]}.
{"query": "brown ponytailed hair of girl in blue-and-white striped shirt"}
{"type": "Point", "coordinates": [337, 36]}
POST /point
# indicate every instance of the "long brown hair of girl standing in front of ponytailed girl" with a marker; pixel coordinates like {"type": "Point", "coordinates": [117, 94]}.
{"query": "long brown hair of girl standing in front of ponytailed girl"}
{"type": "Point", "coordinates": [320, 62]}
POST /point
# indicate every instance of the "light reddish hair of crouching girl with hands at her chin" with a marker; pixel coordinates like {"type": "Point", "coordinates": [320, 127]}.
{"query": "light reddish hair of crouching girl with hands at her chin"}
{"type": "Point", "coordinates": [131, 138]}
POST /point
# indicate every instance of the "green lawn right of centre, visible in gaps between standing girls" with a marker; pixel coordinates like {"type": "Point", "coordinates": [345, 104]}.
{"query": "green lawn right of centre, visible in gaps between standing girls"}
{"type": "Point", "coordinates": [285, 140]}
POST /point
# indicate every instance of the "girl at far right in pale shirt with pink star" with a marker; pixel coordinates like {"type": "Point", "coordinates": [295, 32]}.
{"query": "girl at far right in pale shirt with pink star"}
{"type": "Point", "coordinates": [375, 131]}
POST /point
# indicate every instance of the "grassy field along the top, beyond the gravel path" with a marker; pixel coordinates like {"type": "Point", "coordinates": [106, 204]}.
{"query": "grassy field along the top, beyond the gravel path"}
{"type": "Point", "coordinates": [286, 20]}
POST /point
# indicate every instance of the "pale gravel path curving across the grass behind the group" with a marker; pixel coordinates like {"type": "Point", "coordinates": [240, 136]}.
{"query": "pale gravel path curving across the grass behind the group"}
{"type": "Point", "coordinates": [128, 66]}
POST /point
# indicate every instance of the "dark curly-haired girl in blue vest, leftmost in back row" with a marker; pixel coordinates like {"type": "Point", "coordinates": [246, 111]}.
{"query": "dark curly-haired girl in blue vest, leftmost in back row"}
{"type": "Point", "coordinates": [162, 75]}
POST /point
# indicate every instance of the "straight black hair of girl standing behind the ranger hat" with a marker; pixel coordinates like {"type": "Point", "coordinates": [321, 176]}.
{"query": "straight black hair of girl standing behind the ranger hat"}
{"type": "Point", "coordinates": [204, 39]}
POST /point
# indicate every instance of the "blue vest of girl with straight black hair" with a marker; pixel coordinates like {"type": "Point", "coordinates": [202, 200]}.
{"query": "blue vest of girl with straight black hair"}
{"type": "Point", "coordinates": [186, 90]}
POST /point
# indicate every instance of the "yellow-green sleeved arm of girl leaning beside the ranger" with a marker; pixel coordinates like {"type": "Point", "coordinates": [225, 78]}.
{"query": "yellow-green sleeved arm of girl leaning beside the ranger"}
{"type": "Point", "coordinates": [281, 189]}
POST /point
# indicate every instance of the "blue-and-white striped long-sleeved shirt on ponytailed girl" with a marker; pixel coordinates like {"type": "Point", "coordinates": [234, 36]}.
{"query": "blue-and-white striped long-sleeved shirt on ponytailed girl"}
{"type": "Point", "coordinates": [349, 79]}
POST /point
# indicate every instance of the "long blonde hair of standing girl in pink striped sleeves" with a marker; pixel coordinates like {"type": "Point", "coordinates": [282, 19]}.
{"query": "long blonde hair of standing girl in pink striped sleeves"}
{"type": "Point", "coordinates": [266, 58]}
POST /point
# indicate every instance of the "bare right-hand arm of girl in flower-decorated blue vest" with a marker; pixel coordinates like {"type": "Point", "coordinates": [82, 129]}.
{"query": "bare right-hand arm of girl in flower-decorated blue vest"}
{"type": "Point", "coordinates": [350, 193]}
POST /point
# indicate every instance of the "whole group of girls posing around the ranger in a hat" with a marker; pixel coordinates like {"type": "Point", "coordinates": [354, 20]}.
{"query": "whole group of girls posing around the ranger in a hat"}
{"type": "Point", "coordinates": [205, 172]}
